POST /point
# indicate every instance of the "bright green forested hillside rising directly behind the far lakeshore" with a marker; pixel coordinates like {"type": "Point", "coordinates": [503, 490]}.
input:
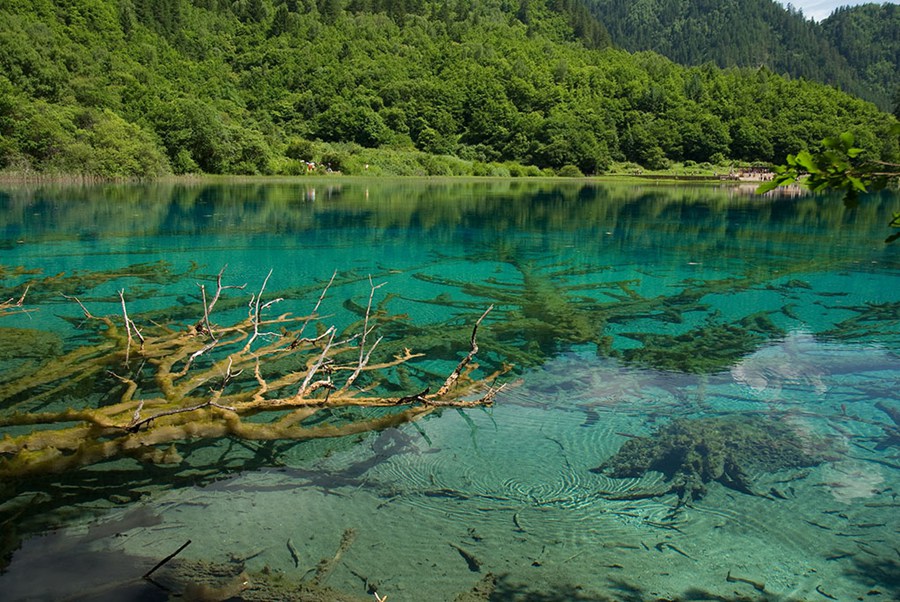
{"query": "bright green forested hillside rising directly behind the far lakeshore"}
{"type": "Point", "coordinates": [506, 87]}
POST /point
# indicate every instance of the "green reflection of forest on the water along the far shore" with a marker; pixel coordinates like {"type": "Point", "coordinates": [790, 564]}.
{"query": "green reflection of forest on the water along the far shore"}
{"type": "Point", "coordinates": [707, 215]}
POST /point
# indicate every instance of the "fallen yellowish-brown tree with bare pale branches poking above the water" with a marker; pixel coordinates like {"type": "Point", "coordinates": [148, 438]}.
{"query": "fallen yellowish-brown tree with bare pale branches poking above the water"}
{"type": "Point", "coordinates": [262, 378]}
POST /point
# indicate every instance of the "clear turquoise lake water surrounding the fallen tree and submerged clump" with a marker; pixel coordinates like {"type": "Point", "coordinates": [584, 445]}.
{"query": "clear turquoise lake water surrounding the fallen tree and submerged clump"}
{"type": "Point", "coordinates": [623, 307]}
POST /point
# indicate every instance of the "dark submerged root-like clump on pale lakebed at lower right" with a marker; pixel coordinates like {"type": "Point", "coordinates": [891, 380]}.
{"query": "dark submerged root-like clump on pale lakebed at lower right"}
{"type": "Point", "coordinates": [693, 452]}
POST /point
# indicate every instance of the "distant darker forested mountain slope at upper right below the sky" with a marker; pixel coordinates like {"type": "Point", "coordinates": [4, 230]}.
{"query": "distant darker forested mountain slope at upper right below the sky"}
{"type": "Point", "coordinates": [856, 49]}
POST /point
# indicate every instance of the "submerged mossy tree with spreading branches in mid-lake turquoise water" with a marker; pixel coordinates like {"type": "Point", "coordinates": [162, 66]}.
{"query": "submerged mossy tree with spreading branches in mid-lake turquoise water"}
{"type": "Point", "coordinates": [543, 308]}
